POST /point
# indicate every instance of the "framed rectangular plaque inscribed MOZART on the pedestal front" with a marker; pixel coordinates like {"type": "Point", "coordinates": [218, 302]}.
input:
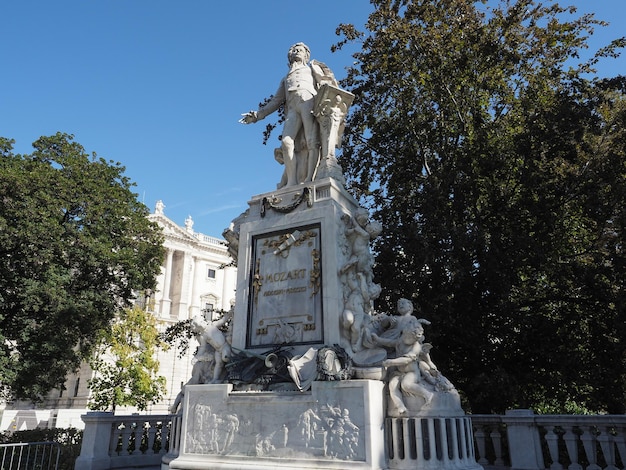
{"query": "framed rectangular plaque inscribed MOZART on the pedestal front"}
{"type": "Point", "coordinates": [285, 304]}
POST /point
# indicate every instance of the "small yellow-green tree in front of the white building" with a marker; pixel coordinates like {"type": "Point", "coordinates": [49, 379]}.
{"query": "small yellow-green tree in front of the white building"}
{"type": "Point", "coordinates": [125, 367]}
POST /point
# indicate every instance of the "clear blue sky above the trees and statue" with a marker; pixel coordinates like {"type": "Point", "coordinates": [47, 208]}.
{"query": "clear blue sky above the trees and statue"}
{"type": "Point", "coordinates": [160, 85]}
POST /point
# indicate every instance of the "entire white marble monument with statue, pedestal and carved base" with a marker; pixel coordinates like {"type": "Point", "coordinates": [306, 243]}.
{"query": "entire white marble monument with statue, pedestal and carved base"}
{"type": "Point", "coordinates": [312, 376]}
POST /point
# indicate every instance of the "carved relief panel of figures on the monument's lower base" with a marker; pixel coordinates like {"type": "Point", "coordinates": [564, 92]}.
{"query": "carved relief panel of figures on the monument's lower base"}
{"type": "Point", "coordinates": [285, 430]}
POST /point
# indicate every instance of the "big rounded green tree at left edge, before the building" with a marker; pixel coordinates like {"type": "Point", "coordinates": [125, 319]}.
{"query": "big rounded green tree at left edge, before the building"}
{"type": "Point", "coordinates": [75, 244]}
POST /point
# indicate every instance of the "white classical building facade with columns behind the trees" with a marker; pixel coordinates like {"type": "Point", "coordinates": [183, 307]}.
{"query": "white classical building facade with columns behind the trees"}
{"type": "Point", "coordinates": [196, 279]}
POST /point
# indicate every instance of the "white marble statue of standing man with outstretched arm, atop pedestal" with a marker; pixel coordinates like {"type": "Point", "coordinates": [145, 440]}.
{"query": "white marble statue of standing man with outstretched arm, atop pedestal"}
{"type": "Point", "coordinates": [297, 92]}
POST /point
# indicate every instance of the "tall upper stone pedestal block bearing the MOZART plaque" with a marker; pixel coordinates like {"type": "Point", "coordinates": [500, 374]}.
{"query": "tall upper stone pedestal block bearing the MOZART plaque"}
{"type": "Point", "coordinates": [291, 248]}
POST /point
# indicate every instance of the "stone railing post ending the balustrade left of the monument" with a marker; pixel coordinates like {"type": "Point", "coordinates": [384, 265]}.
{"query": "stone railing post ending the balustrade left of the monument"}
{"type": "Point", "coordinates": [94, 451]}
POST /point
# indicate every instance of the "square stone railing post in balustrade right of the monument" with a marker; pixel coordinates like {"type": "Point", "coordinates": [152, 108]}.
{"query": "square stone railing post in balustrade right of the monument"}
{"type": "Point", "coordinates": [524, 440]}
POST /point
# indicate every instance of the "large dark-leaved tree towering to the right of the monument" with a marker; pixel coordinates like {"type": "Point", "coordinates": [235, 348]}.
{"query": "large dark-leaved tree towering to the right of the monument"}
{"type": "Point", "coordinates": [496, 164]}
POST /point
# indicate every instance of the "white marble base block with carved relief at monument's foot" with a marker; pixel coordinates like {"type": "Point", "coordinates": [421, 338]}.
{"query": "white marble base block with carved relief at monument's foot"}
{"type": "Point", "coordinates": [337, 425]}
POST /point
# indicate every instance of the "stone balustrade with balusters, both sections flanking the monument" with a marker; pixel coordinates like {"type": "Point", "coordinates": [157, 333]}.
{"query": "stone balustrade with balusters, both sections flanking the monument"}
{"type": "Point", "coordinates": [518, 440]}
